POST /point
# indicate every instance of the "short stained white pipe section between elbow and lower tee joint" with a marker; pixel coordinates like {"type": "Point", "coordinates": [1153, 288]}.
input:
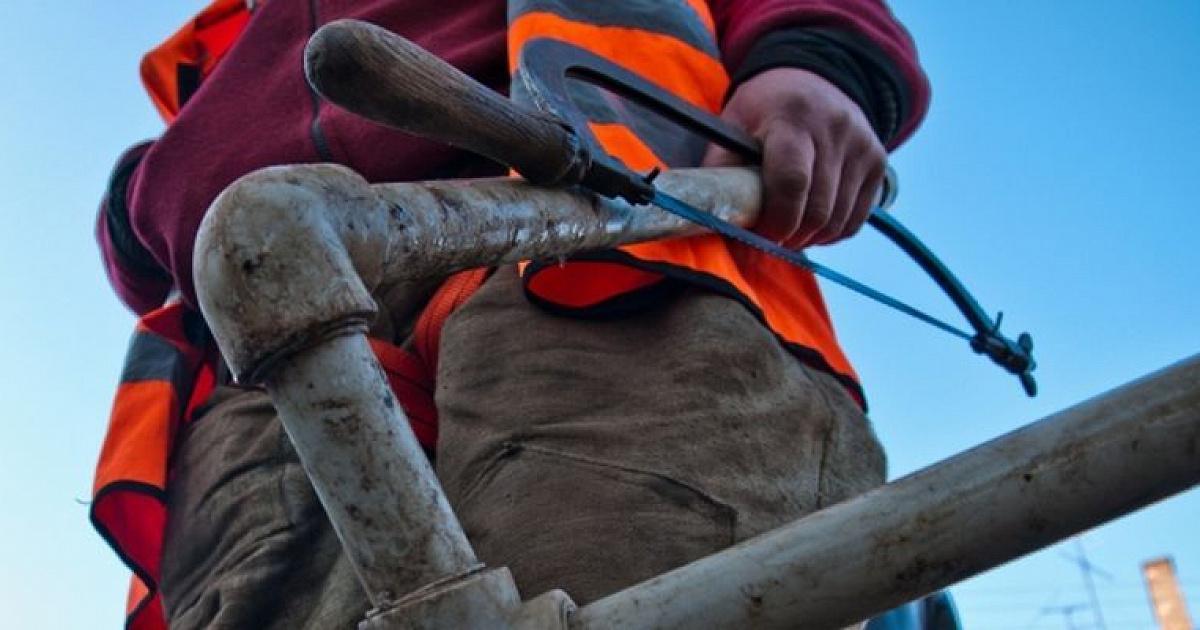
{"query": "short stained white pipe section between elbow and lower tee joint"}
{"type": "Point", "coordinates": [368, 469]}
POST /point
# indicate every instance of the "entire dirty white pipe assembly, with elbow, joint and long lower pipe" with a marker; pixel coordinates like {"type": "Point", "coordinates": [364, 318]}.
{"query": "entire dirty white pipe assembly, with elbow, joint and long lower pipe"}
{"type": "Point", "coordinates": [286, 266]}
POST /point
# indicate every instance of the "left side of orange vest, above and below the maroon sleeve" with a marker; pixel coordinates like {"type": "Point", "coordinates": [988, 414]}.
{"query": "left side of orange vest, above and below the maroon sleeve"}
{"type": "Point", "coordinates": [169, 369]}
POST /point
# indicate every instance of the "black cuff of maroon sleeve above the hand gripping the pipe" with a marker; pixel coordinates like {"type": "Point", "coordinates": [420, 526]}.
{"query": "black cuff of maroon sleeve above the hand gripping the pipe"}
{"type": "Point", "coordinates": [851, 63]}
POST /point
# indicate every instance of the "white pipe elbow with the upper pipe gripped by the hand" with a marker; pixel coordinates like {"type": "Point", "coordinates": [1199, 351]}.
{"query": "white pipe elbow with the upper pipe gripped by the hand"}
{"type": "Point", "coordinates": [289, 253]}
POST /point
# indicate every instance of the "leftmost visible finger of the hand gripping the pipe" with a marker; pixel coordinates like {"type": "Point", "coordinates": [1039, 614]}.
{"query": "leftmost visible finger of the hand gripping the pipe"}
{"type": "Point", "coordinates": [789, 157]}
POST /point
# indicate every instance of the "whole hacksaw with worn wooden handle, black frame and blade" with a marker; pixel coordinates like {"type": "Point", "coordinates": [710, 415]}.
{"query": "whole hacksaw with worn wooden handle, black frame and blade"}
{"type": "Point", "coordinates": [389, 80]}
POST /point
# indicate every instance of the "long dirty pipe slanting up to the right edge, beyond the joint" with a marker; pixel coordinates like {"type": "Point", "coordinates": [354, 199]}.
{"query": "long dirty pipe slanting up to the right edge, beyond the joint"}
{"type": "Point", "coordinates": [1021, 493]}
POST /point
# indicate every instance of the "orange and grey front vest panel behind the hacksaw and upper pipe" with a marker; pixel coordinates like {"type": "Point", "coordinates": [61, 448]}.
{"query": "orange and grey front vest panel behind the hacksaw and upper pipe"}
{"type": "Point", "coordinates": [673, 45]}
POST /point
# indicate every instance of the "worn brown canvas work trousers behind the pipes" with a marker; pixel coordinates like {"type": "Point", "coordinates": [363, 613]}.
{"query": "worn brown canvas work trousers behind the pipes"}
{"type": "Point", "coordinates": [585, 455]}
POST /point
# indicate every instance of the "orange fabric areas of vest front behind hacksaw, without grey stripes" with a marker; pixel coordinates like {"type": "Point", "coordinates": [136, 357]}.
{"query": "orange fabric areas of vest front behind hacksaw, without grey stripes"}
{"type": "Point", "coordinates": [788, 297]}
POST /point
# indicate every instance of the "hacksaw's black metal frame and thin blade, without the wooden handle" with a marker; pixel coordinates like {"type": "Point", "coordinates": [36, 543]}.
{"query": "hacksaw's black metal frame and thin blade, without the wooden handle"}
{"type": "Point", "coordinates": [548, 68]}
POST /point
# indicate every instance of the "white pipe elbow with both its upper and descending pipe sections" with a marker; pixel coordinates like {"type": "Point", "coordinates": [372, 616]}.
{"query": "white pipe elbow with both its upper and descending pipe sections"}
{"type": "Point", "coordinates": [286, 265]}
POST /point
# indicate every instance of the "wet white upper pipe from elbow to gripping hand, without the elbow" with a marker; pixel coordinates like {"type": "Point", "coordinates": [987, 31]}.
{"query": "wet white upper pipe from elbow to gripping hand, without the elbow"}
{"type": "Point", "coordinates": [441, 227]}
